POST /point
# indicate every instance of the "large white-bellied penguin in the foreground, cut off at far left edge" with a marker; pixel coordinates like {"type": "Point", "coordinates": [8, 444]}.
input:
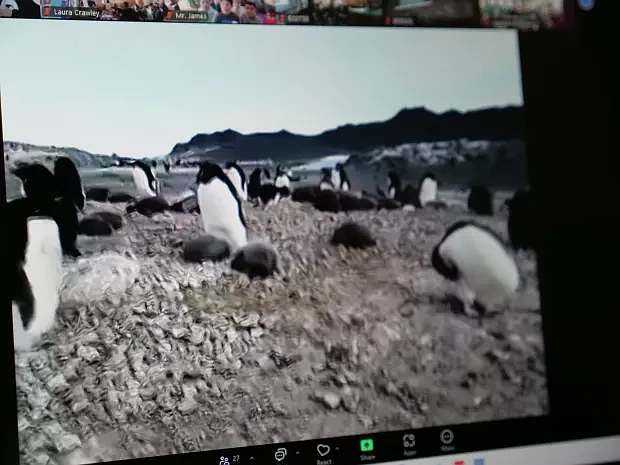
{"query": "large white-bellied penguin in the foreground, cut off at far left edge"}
{"type": "Point", "coordinates": [35, 276]}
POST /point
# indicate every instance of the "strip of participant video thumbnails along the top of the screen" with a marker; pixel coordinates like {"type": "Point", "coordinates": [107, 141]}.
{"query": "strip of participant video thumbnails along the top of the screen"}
{"type": "Point", "coordinates": [530, 15]}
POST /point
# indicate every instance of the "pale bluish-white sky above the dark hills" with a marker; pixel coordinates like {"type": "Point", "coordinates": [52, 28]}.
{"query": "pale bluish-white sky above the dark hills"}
{"type": "Point", "coordinates": [139, 88]}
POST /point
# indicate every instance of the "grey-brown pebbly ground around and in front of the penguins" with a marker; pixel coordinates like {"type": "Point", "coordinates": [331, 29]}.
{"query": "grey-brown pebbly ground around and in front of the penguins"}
{"type": "Point", "coordinates": [153, 356]}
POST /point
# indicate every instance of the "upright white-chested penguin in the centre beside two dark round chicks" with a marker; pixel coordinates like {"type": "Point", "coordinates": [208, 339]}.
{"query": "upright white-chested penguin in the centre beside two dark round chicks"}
{"type": "Point", "coordinates": [220, 206]}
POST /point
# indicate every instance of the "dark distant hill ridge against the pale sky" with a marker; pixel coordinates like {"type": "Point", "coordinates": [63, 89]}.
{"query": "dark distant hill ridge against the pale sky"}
{"type": "Point", "coordinates": [407, 126]}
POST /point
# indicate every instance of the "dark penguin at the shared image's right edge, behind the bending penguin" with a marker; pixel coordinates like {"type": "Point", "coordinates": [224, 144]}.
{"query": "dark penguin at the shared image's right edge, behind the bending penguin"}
{"type": "Point", "coordinates": [521, 223]}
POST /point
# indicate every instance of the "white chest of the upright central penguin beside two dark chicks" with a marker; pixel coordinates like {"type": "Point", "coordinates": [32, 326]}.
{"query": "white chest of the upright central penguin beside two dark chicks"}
{"type": "Point", "coordinates": [219, 211]}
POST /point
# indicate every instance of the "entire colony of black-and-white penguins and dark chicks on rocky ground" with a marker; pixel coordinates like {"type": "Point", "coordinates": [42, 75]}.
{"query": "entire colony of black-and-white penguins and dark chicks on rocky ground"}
{"type": "Point", "coordinates": [49, 216]}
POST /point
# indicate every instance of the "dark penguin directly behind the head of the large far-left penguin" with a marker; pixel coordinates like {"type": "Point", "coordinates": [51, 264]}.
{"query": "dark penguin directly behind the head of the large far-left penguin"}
{"type": "Point", "coordinates": [46, 197]}
